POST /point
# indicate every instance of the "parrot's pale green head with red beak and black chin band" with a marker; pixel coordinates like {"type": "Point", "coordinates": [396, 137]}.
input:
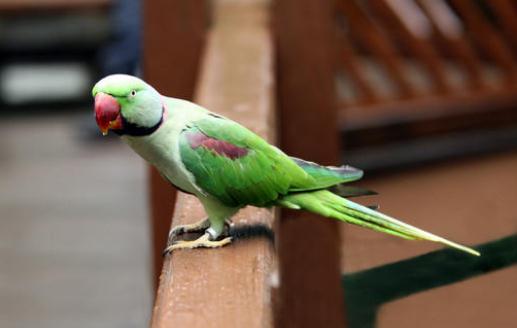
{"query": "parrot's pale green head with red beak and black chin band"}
{"type": "Point", "coordinates": [127, 105]}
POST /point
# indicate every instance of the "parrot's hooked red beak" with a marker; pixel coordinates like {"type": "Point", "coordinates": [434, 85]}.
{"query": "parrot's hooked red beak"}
{"type": "Point", "coordinates": [107, 113]}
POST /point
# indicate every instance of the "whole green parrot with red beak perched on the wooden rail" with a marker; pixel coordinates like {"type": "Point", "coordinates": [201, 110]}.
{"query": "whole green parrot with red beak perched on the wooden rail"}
{"type": "Point", "coordinates": [228, 167]}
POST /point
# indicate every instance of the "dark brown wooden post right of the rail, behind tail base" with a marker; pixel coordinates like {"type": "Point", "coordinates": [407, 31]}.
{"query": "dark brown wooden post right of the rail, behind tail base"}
{"type": "Point", "coordinates": [310, 293]}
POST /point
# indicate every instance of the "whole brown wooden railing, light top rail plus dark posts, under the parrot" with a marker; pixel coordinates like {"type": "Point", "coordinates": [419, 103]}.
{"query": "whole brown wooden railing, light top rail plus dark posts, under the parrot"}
{"type": "Point", "coordinates": [236, 286]}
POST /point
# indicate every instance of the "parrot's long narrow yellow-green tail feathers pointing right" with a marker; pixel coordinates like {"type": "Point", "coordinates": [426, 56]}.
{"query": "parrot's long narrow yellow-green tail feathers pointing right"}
{"type": "Point", "coordinates": [328, 204]}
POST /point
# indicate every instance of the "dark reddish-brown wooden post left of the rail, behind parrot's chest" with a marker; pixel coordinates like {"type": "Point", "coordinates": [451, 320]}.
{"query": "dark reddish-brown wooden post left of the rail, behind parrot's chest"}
{"type": "Point", "coordinates": [173, 40]}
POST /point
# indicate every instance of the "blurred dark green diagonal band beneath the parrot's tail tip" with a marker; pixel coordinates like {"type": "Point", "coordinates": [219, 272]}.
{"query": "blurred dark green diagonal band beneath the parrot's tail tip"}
{"type": "Point", "coordinates": [366, 291]}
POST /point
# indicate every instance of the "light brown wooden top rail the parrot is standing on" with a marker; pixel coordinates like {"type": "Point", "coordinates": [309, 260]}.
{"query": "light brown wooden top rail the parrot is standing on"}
{"type": "Point", "coordinates": [227, 287]}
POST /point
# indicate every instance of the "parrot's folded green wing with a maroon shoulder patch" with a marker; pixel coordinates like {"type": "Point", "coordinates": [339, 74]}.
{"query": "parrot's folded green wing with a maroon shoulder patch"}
{"type": "Point", "coordinates": [235, 165]}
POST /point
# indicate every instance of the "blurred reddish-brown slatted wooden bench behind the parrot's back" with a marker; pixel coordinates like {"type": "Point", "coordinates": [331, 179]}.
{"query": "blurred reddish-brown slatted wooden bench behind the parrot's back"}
{"type": "Point", "coordinates": [412, 71]}
